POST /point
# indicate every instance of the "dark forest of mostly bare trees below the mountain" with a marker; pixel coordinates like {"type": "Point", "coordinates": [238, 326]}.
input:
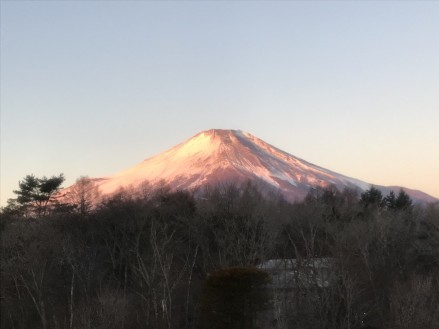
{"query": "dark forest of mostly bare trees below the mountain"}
{"type": "Point", "coordinates": [226, 257]}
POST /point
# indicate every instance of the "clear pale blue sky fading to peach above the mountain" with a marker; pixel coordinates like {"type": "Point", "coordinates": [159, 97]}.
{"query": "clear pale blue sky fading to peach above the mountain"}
{"type": "Point", "coordinates": [94, 87]}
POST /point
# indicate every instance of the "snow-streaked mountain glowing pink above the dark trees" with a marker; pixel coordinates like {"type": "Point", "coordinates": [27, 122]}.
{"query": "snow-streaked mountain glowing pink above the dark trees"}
{"type": "Point", "coordinates": [218, 156]}
